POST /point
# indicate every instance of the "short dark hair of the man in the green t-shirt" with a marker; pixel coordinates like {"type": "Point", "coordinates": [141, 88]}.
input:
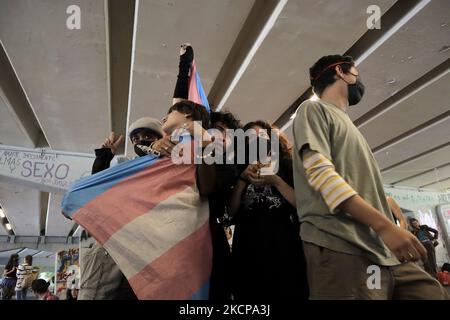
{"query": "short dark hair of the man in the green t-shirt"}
{"type": "Point", "coordinates": [322, 73]}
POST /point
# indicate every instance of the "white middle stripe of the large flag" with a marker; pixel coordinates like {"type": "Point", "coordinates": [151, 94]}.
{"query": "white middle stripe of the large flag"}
{"type": "Point", "coordinates": [150, 235]}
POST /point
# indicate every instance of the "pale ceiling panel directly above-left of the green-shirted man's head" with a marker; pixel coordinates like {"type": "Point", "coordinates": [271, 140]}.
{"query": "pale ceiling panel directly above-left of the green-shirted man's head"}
{"type": "Point", "coordinates": [304, 31]}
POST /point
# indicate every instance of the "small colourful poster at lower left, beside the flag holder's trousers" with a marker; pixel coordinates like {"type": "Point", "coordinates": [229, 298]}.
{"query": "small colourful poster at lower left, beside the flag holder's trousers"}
{"type": "Point", "coordinates": [67, 272]}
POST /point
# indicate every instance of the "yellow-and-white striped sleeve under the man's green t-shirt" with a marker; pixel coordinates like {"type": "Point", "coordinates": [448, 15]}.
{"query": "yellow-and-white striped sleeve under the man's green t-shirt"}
{"type": "Point", "coordinates": [321, 175]}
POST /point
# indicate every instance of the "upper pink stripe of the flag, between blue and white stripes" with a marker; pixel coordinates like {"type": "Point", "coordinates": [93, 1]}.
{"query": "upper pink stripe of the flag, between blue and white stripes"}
{"type": "Point", "coordinates": [133, 197]}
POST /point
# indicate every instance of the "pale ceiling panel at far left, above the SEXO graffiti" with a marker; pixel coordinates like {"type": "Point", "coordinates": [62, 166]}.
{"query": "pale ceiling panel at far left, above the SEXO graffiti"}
{"type": "Point", "coordinates": [63, 72]}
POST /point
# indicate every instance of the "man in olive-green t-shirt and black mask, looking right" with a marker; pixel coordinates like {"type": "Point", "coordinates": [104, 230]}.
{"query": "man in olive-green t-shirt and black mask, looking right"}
{"type": "Point", "coordinates": [353, 248]}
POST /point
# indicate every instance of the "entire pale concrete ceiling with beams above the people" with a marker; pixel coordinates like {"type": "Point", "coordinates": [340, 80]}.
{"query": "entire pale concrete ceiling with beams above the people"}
{"type": "Point", "coordinates": [64, 77]}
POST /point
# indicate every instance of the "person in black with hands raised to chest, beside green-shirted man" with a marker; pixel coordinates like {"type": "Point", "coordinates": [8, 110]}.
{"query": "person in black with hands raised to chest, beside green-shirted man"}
{"type": "Point", "coordinates": [268, 261]}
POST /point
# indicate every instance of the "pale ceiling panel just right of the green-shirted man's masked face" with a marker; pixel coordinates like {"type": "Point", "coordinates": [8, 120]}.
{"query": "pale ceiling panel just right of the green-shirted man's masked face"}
{"type": "Point", "coordinates": [406, 56]}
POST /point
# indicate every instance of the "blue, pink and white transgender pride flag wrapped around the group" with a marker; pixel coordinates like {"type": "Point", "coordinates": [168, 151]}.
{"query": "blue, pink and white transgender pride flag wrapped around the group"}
{"type": "Point", "coordinates": [148, 214]}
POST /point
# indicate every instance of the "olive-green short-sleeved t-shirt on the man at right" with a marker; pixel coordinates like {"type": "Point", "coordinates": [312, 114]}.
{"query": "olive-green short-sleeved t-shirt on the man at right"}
{"type": "Point", "coordinates": [328, 130]}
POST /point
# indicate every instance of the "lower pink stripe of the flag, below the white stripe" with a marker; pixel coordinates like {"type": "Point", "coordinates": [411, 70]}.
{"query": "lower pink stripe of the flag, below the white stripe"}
{"type": "Point", "coordinates": [178, 273]}
